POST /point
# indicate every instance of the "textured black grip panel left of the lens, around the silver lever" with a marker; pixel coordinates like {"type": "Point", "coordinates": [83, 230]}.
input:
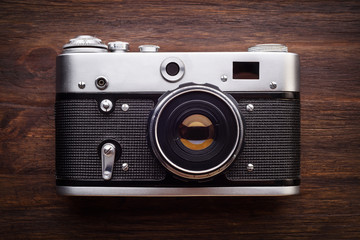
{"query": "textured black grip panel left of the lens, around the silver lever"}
{"type": "Point", "coordinates": [81, 127]}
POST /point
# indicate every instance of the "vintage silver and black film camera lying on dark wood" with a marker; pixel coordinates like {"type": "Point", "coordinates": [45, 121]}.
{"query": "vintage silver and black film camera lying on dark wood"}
{"type": "Point", "coordinates": [152, 123]}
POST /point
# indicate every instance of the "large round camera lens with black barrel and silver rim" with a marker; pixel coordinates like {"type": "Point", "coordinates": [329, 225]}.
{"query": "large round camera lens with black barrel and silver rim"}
{"type": "Point", "coordinates": [196, 131]}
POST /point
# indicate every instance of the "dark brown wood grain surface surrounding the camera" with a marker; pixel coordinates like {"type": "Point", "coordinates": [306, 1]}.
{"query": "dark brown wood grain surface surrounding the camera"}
{"type": "Point", "coordinates": [326, 35]}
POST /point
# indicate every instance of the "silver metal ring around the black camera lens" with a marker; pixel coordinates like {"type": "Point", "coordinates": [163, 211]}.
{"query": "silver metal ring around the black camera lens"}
{"type": "Point", "coordinates": [166, 162]}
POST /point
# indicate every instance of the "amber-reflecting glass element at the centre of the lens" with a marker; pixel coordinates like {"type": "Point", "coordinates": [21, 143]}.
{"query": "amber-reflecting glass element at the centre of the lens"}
{"type": "Point", "coordinates": [196, 132]}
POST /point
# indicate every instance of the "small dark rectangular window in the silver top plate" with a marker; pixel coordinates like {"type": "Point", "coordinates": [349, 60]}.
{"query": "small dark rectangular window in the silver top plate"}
{"type": "Point", "coordinates": [246, 70]}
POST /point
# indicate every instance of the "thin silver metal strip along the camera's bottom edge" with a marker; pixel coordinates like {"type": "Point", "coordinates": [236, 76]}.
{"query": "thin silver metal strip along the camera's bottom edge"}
{"type": "Point", "coordinates": [177, 192]}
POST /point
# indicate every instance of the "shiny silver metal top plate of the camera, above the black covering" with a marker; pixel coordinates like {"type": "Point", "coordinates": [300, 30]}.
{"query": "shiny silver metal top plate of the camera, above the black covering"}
{"type": "Point", "coordinates": [123, 71]}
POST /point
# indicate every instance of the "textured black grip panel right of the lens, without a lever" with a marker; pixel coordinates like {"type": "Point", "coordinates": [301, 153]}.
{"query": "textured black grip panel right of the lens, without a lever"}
{"type": "Point", "coordinates": [272, 141]}
